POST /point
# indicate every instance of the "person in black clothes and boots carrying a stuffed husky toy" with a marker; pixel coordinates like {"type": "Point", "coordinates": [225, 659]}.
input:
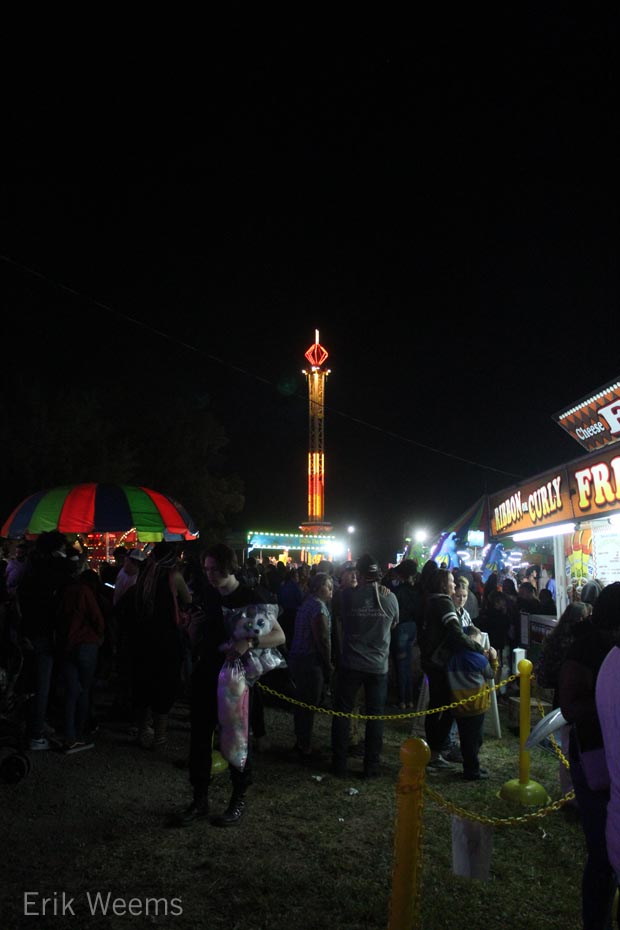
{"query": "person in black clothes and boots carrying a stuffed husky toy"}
{"type": "Point", "coordinates": [223, 591]}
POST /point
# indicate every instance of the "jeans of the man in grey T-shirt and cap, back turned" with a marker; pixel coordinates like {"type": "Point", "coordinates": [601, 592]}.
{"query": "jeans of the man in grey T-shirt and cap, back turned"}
{"type": "Point", "coordinates": [348, 683]}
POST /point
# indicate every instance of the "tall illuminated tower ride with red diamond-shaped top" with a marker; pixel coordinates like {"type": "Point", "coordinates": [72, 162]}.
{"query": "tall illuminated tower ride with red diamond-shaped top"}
{"type": "Point", "coordinates": [316, 355]}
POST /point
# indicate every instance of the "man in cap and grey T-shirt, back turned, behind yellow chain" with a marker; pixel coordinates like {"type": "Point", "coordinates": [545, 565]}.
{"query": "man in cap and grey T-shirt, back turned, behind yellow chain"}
{"type": "Point", "coordinates": [369, 612]}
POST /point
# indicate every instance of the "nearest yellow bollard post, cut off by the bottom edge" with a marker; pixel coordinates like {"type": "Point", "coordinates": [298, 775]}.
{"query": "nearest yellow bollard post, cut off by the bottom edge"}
{"type": "Point", "coordinates": [407, 867]}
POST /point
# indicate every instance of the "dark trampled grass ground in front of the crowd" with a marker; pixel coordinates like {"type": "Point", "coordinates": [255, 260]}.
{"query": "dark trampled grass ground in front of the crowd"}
{"type": "Point", "coordinates": [311, 852]}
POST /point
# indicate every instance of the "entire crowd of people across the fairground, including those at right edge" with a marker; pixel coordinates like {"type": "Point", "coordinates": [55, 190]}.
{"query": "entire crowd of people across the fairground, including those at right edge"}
{"type": "Point", "coordinates": [156, 622]}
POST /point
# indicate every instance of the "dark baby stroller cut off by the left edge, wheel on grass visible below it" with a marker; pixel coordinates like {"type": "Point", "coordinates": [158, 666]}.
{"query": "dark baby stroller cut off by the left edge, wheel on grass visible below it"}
{"type": "Point", "coordinates": [14, 762]}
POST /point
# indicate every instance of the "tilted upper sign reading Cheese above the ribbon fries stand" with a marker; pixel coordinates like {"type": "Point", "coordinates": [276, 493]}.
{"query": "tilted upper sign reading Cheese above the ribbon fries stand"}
{"type": "Point", "coordinates": [594, 421]}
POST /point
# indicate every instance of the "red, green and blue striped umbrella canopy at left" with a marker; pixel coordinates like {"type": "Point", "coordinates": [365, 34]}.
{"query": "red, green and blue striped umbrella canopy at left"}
{"type": "Point", "coordinates": [101, 508]}
